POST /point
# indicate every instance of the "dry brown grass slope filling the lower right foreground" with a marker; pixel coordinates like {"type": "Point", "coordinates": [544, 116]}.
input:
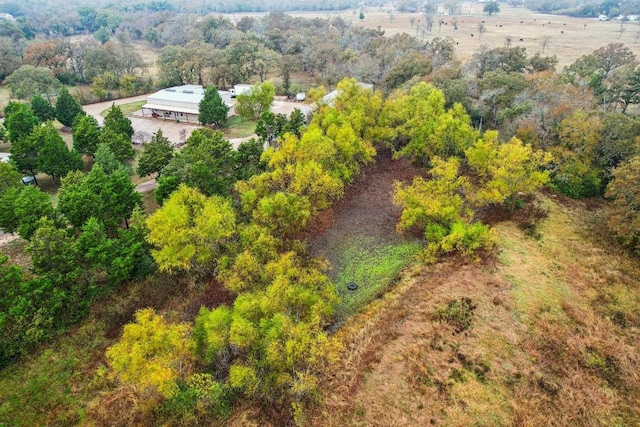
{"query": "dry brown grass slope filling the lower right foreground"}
{"type": "Point", "coordinates": [542, 349]}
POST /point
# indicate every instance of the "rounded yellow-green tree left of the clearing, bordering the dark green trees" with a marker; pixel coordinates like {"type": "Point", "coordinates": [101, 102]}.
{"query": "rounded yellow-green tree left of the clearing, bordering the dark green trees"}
{"type": "Point", "coordinates": [190, 229]}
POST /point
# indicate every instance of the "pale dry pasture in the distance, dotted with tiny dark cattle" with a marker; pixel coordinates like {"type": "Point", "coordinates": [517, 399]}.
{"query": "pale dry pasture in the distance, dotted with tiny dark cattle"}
{"type": "Point", "coordinates": [563, 36]}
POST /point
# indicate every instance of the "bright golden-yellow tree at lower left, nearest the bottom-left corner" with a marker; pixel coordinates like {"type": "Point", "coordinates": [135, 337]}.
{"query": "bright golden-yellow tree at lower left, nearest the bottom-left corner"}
{"type": "Point", "coordinates": [152, 354]}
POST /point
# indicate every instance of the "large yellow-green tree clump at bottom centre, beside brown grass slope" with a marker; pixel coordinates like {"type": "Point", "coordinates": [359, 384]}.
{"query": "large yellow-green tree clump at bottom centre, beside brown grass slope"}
{"type": "Point", "coordinates": [276, 331]}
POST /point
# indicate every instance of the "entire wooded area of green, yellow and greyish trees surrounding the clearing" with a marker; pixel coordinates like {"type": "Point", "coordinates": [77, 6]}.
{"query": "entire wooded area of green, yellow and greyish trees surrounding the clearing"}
{"type": "Point", "coordinates": [487, 137]}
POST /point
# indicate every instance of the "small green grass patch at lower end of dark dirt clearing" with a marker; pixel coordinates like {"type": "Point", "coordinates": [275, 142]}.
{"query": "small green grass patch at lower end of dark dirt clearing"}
{"type": "Point", "coordinates": [373, 266]}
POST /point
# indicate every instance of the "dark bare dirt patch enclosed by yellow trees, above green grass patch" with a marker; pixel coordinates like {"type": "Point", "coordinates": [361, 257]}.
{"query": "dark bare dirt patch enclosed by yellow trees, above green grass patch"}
{"type": "Point", "coordinates": [366, 210]}
